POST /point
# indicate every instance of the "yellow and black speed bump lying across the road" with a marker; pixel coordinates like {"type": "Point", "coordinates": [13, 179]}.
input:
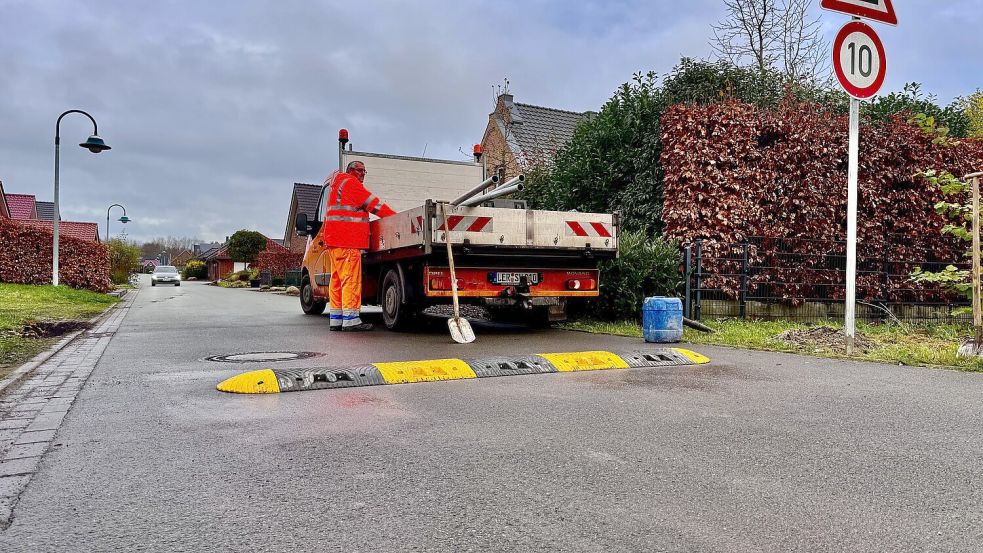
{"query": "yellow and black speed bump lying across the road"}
{"type": "Point", "coordinates": [272, 381]}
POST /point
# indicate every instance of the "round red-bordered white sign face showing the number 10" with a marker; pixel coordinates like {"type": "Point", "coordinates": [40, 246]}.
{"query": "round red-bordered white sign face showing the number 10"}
{"type": "Point", "coordinates": [859, 61]}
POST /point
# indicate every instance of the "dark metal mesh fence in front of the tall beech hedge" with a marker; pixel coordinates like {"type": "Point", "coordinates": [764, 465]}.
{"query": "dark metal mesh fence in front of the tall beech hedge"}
{"type": "Point", "coordinates": [802, 279]}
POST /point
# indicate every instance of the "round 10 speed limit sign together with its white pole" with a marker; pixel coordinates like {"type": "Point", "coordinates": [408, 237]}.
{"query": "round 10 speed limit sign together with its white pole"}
{"type": "Point", "coordinates": [860, 66]}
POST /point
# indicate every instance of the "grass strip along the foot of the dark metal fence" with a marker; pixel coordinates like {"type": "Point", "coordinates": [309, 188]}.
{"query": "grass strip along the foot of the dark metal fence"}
{"type": "Point", "coordinates": [920, 345]}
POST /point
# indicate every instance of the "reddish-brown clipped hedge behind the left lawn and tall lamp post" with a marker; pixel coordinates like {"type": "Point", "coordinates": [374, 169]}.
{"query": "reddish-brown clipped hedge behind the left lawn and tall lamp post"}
{"type": "Point", "coordinates": [25, 258]}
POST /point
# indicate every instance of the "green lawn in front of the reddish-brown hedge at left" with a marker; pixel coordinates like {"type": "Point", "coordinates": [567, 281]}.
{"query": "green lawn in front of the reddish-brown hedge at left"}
{"type": "Point", "coordinates": [21, 304]}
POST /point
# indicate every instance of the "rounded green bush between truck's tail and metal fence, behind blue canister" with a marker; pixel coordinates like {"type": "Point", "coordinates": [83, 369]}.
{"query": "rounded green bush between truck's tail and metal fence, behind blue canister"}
{"type": "Point", "coordinates": [645, 267]}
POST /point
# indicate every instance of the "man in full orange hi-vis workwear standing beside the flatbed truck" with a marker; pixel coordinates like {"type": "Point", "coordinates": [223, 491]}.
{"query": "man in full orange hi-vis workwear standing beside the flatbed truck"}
{"type": "Point", "coordinates": [346, 234]}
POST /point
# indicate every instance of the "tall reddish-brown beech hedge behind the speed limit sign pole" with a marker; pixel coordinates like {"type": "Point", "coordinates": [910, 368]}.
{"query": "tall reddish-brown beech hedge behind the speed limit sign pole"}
{"type": "Point", "coordinates": [736, 173]}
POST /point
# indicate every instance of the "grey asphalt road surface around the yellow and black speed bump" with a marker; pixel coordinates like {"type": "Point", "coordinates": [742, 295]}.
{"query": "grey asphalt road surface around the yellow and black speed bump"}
{"type": "Point", "coordinates": [754, 452]}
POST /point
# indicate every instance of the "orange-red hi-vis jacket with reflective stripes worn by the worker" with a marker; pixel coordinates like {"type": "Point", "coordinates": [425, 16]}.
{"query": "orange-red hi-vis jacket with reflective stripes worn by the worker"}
{"type": "Point", "coordinates": [346, 219]}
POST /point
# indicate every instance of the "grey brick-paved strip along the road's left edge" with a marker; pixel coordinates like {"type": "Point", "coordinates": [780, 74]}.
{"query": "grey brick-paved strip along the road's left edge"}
{"type": "Point", "coordinates": [33, 409]}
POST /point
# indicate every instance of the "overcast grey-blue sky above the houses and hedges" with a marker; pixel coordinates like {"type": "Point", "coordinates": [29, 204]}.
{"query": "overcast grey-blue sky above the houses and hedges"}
{"type": "Point", "coordinates": [215, 108]}
